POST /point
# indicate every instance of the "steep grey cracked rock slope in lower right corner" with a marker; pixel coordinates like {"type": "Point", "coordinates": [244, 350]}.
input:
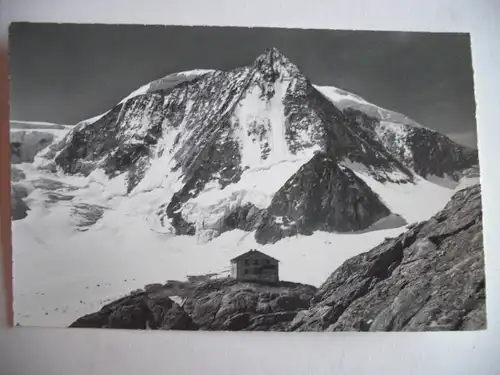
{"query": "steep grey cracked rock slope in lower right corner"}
{"type": "Point", "coordinates": [429, 278]}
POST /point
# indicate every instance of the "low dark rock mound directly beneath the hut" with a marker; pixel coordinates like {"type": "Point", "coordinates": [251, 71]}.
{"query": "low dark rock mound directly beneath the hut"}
{"type": "Point", "coordinates": [223, 304]}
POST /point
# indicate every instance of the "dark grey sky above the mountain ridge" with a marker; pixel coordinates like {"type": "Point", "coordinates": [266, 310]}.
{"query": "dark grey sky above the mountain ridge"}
{"type": "Point", "coordinates": [64, 73]}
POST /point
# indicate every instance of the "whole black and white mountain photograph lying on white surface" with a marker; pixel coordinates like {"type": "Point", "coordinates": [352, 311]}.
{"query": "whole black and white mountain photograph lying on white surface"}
{"type": "Point", "coordinates": [244, 179]}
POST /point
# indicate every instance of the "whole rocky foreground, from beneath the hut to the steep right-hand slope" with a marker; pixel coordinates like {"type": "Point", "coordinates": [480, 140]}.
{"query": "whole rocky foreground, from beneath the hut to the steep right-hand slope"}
{"type": "Point", "coordinates": [429, 278]}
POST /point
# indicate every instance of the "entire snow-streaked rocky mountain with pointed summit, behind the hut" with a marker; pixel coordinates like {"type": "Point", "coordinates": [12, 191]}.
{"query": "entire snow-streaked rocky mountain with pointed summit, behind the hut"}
{"type": "Point", "coordinates": [257, 148]}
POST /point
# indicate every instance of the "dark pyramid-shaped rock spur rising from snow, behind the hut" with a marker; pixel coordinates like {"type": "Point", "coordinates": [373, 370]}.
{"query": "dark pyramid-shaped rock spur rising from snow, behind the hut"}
{"type": "Point", "coordinates": [321, 196]}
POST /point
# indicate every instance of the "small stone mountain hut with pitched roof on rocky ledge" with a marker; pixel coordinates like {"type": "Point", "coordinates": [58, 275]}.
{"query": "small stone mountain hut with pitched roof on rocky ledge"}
{"type": "Point", "coordinates": [255, 266]}
